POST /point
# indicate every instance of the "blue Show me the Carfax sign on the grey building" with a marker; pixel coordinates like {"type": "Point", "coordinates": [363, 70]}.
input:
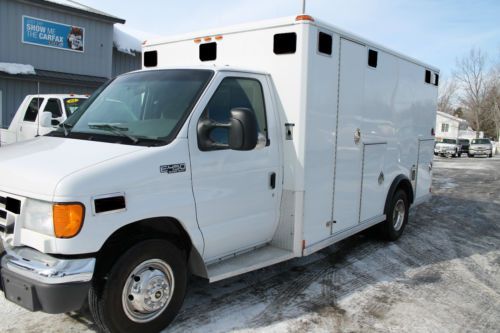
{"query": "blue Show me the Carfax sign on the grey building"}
{"type": "Point", "coordinates": [52, 34]}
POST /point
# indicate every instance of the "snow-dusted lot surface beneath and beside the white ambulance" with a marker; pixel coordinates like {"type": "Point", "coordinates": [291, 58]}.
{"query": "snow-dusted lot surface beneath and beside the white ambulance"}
{"type": "Point", "coordinates": [443, 275]}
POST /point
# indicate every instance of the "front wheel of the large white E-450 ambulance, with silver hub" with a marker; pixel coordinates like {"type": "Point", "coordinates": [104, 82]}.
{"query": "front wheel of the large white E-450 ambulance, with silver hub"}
{"type": "Point", "coordinates": [151, 261]}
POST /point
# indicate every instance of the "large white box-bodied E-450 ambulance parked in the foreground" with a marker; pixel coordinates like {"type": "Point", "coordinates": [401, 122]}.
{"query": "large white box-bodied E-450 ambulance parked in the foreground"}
{"type": "Point", "coordinates": [232, 150]}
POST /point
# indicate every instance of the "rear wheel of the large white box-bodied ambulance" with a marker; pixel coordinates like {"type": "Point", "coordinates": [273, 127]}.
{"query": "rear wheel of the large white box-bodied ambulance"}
{"type": "Point", "coordinates": [397, 216]}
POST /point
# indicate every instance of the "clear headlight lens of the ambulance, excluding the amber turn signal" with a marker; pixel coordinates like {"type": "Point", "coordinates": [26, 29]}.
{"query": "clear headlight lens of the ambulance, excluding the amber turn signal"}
{"type": "Point", "coordinates": [38, 216]}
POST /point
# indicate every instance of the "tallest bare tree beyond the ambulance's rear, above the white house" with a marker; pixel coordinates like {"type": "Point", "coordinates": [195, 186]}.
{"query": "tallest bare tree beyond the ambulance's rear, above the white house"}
{"type": "Point", "coordinates": [470, 76]}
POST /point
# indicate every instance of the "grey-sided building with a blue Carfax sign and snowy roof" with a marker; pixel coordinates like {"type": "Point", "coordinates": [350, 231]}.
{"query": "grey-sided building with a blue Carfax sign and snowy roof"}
{"type": "Point", "coordinates": [58, 46]}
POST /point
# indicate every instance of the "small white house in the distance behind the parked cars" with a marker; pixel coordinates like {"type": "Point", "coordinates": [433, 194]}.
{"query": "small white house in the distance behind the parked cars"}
{"type": "Point", "coordinates": [451, 127]}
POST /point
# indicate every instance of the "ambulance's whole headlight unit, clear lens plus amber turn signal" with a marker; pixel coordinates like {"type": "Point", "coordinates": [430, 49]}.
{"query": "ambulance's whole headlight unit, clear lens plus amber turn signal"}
{"type": "Point", "coordinates": [60, 220]}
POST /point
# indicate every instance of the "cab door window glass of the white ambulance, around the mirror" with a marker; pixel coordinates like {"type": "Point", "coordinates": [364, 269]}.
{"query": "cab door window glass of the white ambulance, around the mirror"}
{"type": "Point", "coordinates": [235, 93]}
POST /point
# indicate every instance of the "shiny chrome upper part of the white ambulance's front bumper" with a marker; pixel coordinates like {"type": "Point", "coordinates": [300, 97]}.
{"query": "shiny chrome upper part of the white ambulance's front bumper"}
{"type": "Point", "coordinates": [46, 269]}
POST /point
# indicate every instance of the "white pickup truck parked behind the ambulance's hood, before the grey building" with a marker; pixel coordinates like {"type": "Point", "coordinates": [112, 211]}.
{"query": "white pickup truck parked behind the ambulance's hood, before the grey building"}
{"type": "Point", "coordinates": [38, 115]}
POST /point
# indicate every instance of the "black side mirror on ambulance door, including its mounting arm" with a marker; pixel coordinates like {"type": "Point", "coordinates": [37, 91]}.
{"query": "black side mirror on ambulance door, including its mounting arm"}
{"type": "Point", "coordinates": [242, 131]}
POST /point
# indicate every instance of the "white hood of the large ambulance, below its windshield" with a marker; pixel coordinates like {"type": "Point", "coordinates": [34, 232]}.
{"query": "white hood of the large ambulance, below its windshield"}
{"type": "Point", "coordinates": [34, 168]}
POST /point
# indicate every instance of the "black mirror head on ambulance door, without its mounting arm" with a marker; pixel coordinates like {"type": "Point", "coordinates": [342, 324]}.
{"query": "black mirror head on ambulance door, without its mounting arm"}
{"type": "Point", "coordinates": [243, 129]}
